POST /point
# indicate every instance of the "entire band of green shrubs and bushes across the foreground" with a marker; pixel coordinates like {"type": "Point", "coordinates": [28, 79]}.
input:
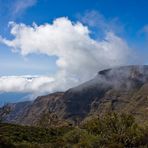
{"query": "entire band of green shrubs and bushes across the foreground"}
{"type": "Point", "coordinates": [111, 130]}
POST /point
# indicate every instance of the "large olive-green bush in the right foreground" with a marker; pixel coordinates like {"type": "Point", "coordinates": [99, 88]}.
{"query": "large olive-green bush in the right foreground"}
{"type": "Point", "coordinates": [115, 129]}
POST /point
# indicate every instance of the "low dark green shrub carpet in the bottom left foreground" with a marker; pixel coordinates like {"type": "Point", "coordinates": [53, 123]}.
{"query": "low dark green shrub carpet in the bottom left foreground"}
{"type": "Point", "coordinates": [23, 134]}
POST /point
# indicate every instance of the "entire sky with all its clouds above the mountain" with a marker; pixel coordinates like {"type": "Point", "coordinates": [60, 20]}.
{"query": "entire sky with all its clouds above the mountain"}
{"type": "Point", "coordinates": [52, 45]}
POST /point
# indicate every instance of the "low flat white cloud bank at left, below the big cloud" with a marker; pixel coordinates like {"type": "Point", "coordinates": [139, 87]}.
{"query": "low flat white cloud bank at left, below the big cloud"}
{"type": "Point", "coordinates": [24, 84]}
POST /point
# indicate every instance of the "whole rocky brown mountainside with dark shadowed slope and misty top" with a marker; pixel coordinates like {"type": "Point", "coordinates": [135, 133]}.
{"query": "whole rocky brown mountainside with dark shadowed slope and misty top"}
{"type": "Point", "coordinates": [123, 89]}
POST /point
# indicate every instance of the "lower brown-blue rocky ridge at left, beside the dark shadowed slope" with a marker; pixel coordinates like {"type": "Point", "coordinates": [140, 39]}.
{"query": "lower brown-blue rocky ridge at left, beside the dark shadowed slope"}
{"type": "Point", "coordinates": [30, 113]}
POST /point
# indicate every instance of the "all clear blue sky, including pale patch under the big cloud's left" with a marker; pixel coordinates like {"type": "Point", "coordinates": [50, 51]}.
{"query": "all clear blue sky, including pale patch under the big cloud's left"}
{"type": "Point", "coordinates": [131, 15]}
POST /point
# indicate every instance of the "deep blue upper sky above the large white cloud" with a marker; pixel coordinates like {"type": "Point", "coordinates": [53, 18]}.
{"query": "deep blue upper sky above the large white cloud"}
{"type": "Point", "coordinates": [132, 14]}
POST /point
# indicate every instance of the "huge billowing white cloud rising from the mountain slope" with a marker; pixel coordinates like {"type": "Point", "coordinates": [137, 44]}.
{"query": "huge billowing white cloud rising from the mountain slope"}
{"type": "Point", "coordinates": [79, 56]}
